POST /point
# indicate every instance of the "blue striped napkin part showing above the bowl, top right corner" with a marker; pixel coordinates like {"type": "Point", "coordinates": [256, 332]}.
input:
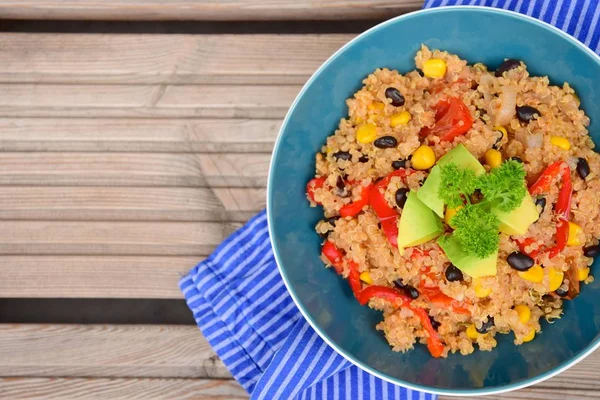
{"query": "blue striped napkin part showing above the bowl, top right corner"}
{"type": "Point", "coordinates": [578, 18]}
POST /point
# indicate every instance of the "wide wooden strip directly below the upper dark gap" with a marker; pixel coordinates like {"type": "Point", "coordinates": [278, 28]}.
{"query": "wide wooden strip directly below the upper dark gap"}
{"type": "Point", "coordinates": [164, 59]}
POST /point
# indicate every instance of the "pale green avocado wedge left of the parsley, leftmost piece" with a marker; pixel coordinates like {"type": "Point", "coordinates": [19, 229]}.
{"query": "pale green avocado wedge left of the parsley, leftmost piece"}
{"type": "Point", "coordinates": [418, 223]}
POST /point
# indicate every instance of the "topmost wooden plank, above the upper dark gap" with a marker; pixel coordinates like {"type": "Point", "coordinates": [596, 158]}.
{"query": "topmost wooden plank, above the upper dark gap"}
{"type": "Point", "coordinates": [228, 10]}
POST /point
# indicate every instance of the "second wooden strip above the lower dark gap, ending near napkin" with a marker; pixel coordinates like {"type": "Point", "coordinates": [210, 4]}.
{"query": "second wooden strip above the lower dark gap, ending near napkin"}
{"type": "Point", "coordinates": [110, 238]}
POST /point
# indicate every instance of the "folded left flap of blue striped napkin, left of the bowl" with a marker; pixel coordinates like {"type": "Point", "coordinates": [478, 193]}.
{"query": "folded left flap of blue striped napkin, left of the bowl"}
{"type": "Point", "coordinates": [244, 329]}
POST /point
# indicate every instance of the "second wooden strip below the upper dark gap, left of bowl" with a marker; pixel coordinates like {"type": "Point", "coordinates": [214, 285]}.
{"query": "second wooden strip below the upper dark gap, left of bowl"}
{"type": "Point", "coordinates": [149, 101]}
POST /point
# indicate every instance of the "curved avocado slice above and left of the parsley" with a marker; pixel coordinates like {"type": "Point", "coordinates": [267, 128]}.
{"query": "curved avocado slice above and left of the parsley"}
{"type": "Point", "coordinates": [459, 155]}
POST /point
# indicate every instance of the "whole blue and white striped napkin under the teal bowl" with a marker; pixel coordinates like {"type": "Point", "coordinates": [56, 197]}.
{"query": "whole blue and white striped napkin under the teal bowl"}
{"type": "Point", "coordinates": [242, 307]}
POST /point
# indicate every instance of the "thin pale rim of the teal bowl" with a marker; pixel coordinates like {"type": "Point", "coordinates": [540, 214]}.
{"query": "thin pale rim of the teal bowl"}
{"type": "Point", "coordinates": [450, 392]}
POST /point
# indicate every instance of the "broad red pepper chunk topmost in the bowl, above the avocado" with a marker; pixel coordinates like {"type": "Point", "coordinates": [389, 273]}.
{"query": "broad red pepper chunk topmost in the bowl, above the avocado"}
{"type": "Point", "coordinates": [452, 119]}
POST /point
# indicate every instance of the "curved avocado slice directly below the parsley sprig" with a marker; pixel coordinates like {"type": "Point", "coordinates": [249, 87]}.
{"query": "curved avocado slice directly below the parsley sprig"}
{"type": "Point", "coordinates": [470, 265]}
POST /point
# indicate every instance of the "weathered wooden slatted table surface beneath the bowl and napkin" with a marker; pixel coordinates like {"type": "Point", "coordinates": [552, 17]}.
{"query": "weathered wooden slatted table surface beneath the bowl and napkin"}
{"type": "Point", "coordinates": [125, 159]}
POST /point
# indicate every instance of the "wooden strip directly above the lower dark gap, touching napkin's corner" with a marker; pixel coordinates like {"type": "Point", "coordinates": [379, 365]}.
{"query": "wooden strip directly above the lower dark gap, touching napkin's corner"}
{"type": "Point", "coordinates": [104, 277]}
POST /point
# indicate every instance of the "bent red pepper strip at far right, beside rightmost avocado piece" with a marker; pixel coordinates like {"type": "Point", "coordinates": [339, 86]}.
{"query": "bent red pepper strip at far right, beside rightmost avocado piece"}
{"type": "Point", "coordinates": [563, 203]}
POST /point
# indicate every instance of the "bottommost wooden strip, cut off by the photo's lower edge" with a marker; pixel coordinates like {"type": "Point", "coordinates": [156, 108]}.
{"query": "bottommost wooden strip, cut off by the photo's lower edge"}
{"type": "Point", "coordinates": [121, 388]}
